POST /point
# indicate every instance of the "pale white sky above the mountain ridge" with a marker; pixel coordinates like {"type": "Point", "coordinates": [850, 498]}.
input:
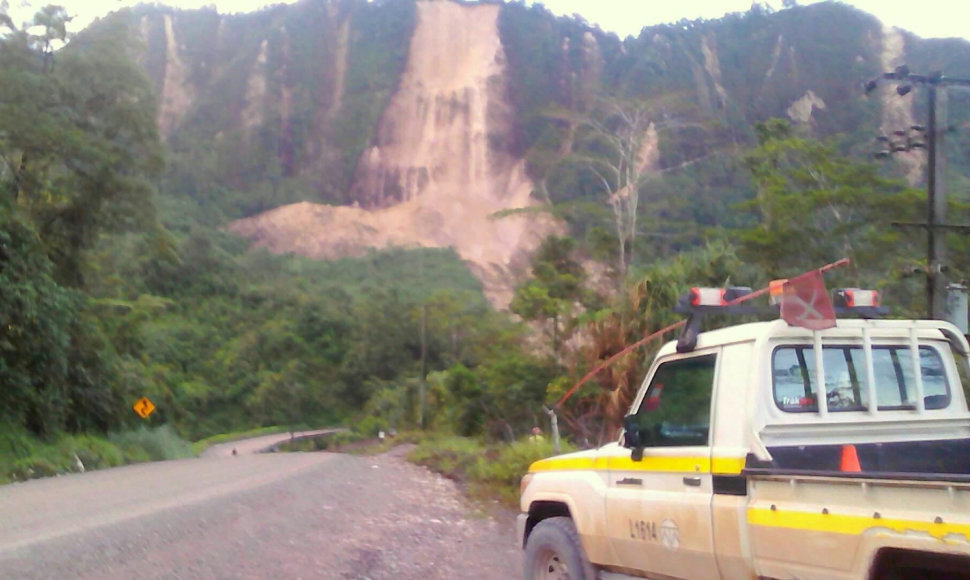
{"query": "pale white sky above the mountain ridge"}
{"type": "Point", "coordinates": [926, 18]}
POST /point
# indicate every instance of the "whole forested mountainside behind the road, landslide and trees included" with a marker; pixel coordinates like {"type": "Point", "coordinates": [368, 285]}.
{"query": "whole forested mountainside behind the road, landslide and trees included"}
{"type": "Point", "coordinates": [446, 160]}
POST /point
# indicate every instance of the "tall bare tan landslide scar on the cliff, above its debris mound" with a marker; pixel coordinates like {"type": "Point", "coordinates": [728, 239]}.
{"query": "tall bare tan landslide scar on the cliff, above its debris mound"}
{"type": "Point", "coordinates": [443, 130]}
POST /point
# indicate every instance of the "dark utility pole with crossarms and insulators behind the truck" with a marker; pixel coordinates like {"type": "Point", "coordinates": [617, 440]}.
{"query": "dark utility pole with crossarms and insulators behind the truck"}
{"type": "Point", "coordinates": [936, 226]}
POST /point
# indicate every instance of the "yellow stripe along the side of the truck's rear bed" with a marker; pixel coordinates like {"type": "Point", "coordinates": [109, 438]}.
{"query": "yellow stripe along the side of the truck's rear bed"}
{"type": "Point", "coordinates": [849, 524]}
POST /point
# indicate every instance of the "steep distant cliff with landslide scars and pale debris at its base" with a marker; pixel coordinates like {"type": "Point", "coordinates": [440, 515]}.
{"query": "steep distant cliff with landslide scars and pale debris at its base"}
{"type": "Point", "coordinates": [412, 120]}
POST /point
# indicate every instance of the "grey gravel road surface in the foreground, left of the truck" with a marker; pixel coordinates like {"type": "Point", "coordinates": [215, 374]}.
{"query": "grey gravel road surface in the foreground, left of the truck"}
{"type": "Point", "coordinates": [285, 515]}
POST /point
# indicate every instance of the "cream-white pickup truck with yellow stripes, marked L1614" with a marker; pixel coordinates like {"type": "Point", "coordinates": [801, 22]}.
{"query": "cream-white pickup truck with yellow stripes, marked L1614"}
{"type": "Point", "coordinates": [731, 466]}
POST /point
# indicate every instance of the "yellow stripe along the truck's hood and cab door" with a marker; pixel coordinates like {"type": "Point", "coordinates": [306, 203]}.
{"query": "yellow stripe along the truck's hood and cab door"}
{"type": "Point", "coordinates": [720, 465]}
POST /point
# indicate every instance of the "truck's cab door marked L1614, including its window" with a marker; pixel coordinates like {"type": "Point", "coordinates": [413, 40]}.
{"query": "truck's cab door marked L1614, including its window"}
{"type": "Point", "coordinates": [659, 508]}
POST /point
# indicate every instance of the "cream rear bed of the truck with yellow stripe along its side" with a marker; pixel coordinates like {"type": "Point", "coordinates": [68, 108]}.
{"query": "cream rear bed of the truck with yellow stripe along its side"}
{"type": "Point", "coordinates": [827, 523]}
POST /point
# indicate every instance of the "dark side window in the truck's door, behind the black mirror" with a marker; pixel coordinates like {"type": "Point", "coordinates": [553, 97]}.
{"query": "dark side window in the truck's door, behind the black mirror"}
{"type": "Point", "coordinates": [676, 409]}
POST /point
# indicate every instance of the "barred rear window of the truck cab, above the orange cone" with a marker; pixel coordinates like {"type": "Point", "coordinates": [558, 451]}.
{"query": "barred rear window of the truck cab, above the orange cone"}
{"type": "Point", "coordinates": [846, 386]}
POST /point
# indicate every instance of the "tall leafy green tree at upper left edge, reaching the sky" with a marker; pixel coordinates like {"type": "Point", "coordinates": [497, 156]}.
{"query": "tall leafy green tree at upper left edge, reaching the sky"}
{"type": "Point", "coordinates": [78, 142]}
